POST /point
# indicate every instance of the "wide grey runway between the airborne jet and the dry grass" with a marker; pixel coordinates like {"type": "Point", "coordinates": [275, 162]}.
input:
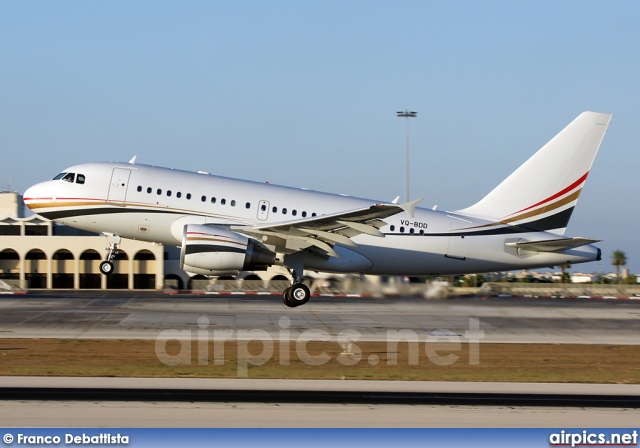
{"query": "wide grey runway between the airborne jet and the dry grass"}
{"type": "Point", "coordinates": [143, 315]}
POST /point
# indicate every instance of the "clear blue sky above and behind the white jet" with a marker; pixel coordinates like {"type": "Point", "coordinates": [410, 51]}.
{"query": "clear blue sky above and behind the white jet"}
{"type": "Point", "coordinates": [304, 93]}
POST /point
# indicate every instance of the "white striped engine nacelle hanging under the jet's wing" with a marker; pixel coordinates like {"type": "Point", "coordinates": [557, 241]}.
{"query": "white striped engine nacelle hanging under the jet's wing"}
{"type": "Point", "coordinates": [214, 251]}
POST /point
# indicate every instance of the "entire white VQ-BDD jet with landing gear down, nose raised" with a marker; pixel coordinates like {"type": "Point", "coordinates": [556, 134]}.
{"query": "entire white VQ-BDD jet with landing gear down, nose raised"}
{"type": "Point", "coordinates": [225, 225]}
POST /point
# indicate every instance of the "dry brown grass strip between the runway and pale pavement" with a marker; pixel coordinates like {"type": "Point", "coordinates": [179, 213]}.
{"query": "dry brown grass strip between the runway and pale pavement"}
{"type": "Point", "coordinates": [558, 363]}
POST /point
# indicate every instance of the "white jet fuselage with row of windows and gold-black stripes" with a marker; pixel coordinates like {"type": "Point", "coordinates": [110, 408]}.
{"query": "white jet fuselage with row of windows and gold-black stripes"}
{"type": "Point", "coordinates": [154, 204]}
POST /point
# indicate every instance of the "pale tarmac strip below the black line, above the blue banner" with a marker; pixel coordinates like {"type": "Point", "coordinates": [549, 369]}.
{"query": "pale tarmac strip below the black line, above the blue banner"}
{"type": "Point", "coordinates": [273, 415]}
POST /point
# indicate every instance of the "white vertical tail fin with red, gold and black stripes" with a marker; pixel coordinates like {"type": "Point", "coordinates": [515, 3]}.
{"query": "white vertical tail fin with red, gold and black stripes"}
{"type": "Point", "coordinates": [542, 193]}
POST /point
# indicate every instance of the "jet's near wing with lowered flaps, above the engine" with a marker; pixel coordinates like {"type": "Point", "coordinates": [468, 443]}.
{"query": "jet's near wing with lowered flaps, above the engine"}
{"type": "Point", "coordinates": [322, 232]}
